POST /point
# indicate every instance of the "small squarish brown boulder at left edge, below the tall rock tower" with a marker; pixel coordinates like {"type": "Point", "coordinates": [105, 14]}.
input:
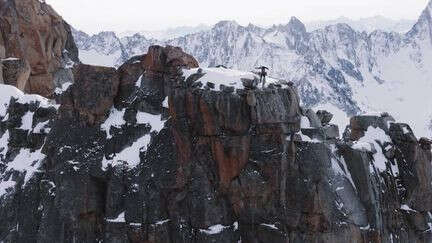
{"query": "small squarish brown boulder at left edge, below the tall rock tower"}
{"type": "Point", "coordinates": [16, 72]}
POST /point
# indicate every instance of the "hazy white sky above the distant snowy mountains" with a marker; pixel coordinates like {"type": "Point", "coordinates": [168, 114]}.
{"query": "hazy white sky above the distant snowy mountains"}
{"type": "Point", "coordinates": [121, 15]}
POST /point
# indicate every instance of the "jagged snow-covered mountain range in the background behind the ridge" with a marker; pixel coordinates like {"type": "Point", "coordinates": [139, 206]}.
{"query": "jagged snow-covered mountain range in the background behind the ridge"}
{"type": "Point", "coordinates": [336, 67]}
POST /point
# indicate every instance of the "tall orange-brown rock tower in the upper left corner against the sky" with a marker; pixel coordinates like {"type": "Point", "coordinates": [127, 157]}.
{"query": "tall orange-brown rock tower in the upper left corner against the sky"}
{"type": "Point", "coordinates": [33, 31]}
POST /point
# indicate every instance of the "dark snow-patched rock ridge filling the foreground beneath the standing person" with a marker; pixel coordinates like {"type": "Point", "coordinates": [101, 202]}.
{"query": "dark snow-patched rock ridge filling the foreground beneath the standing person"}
{"type": "Point", "coordinates": [147, 153]}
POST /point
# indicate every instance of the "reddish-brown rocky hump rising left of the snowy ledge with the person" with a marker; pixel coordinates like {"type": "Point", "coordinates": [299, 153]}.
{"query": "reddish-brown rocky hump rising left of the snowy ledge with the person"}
{"type": "Point", "coordinates": [96, 89]}
